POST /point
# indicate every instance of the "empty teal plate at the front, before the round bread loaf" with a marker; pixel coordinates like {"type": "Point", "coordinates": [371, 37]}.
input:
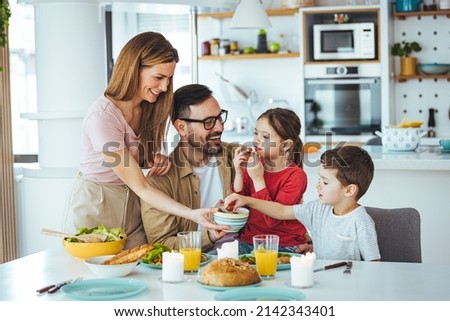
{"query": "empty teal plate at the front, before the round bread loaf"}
{"type": "Point", "coordinates": [260, 294]}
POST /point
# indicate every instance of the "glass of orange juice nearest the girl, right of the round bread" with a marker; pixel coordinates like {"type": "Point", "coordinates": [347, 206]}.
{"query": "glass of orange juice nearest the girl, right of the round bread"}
{"type": "Point", "coordinates": [266, 254]}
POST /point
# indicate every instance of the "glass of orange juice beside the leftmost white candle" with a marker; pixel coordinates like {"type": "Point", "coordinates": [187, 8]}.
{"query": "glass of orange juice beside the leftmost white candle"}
{"type": "Point", "coordinates": [190, 243]}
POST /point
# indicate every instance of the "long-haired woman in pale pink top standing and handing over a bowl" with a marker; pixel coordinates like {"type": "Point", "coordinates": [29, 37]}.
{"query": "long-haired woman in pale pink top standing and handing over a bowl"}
{"type": "Point", "coordinates": [122, 132]}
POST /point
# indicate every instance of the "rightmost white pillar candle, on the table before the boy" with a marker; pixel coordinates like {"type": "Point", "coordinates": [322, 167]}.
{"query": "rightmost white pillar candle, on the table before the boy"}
{"type": "Point", "coordinates": [302, 270]}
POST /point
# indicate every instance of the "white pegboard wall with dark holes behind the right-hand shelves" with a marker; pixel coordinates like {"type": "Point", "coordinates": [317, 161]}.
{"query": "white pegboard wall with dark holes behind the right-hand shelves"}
{"type": "Point", "coordinates": [415, 97]}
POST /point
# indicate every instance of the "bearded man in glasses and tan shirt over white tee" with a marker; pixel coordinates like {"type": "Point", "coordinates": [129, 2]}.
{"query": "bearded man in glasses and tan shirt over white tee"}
{"type": "Point", "coordinates": [202, 170]}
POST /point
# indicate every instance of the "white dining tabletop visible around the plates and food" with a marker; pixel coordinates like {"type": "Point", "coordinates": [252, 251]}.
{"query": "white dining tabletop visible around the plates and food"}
{"type": "Point", "coordinates": [369, 281]}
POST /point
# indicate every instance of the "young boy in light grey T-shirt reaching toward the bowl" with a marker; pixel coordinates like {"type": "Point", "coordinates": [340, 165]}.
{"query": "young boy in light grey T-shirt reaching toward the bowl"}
{"type": "Point", "coordinates": [340, 228]}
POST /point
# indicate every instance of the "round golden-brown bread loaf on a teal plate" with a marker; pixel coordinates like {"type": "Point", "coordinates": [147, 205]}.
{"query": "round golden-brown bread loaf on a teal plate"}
{"type": "Point", "coordinates": [228, 272]}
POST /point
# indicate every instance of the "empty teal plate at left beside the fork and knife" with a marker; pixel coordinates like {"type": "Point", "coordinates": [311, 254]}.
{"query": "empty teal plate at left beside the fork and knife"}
{"type": "Point", "coordinates": [104, 289]}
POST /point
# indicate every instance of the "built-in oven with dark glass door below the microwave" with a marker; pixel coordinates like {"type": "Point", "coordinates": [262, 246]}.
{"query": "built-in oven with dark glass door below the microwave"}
{"type": "Point", "coordinates": [344, 100]}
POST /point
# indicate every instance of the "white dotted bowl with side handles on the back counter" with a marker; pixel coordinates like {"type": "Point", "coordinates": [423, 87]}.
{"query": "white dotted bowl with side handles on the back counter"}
{"type": "Point", "coordinates": [401, 139]}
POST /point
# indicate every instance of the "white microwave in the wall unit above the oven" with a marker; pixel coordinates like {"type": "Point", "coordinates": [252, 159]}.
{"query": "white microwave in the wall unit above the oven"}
{"type": "Point", "coordinates": [346, 41]}
